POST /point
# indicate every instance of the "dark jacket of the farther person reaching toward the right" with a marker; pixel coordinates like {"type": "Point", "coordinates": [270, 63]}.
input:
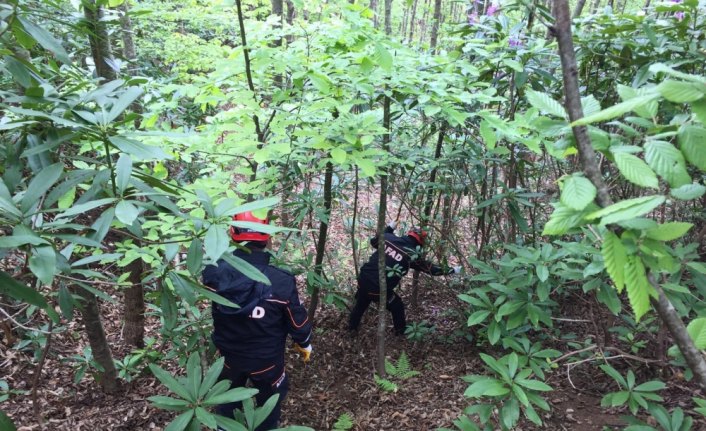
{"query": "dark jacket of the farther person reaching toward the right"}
{"type": "Point", "coordinates": [401, 254]}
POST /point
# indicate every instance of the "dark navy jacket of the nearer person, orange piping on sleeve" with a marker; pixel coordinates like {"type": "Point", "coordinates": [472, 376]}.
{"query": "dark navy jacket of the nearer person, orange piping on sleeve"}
{"type": "Point", "coordinates": [259, 328]}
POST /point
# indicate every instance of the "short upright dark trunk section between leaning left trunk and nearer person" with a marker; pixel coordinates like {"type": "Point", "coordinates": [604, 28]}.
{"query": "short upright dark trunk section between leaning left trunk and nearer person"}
{"type": "Point", "coordinates": [134, 301]}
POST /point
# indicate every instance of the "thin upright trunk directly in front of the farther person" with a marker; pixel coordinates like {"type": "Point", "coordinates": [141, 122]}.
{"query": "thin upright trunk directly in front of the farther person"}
{"type": "Point", "coordinates": [382, 268]}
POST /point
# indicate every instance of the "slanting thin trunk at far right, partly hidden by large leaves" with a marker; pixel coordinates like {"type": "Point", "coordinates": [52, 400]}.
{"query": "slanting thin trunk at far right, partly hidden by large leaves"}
{"type": "Point", "coordinates": [664, 307]}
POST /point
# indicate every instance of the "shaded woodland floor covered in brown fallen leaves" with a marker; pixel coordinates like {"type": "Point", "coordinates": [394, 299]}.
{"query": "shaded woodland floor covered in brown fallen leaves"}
{"type": "Point", "coordinates": [339, 379]}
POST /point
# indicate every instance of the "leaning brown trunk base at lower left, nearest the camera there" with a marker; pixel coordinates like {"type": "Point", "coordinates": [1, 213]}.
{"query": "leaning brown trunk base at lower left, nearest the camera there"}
{"type": "Point", "coordinates": [99, 343]}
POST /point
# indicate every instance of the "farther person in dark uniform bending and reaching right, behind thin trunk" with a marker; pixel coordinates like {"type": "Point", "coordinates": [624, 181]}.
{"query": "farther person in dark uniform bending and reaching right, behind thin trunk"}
{"type": "Point", "coordinates": [401, 254]}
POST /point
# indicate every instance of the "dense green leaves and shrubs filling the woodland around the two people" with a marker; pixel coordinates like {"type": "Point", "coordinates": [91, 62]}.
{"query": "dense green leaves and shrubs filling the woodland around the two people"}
{"type": "Point", "coordinates": [149, 168]}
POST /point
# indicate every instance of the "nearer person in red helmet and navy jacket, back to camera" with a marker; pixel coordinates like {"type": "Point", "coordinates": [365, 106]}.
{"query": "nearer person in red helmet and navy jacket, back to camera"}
{"type": "Point", "coordinates": [252, 338]}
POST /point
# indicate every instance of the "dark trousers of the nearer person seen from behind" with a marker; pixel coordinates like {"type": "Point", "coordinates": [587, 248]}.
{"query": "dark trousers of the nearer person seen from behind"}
{"type": "Point", "coordinates": [267, 376]}
